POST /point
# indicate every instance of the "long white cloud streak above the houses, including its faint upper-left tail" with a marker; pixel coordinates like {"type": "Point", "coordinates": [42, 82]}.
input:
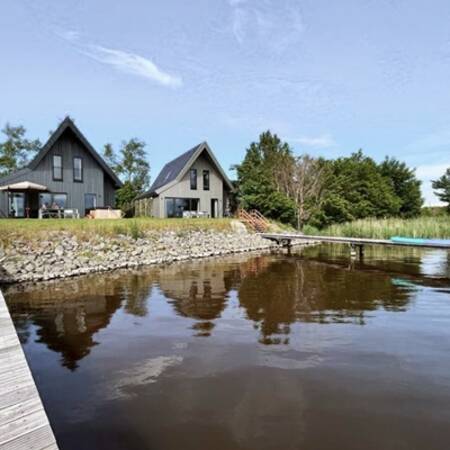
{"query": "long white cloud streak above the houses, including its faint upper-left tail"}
{"type": "Point", "coordinates": [121, 60]}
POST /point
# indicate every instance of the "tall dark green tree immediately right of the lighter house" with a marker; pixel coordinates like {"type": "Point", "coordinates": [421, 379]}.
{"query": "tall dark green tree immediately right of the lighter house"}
{"type": "Point", "coordinates": [257, 184]}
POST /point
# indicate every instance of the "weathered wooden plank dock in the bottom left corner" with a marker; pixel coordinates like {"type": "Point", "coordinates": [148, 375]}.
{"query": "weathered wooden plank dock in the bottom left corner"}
{"type": "Point", "coordinates": [23, 422]}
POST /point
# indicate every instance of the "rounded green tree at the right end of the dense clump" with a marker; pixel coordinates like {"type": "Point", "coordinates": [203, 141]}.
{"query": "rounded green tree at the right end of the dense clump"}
{"type": "Point", "coordinates": [405, 185]}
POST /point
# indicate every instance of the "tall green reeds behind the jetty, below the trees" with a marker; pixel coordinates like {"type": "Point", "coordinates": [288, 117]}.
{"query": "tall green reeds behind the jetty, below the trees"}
{"type": "Point", "coordinates": [421, 227]}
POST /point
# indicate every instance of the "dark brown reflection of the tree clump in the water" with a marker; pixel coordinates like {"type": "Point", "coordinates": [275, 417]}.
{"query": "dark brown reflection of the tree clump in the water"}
{"type": "Point", "coordinates": [291, 290]}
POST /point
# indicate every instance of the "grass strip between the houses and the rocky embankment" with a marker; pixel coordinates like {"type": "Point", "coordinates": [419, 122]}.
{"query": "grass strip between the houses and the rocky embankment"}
{"type": "Point", "coordinates": [82, 228]}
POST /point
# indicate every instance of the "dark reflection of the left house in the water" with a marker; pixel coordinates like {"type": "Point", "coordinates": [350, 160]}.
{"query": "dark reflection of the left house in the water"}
{"type": "Point", "coordinates": [66, 315]}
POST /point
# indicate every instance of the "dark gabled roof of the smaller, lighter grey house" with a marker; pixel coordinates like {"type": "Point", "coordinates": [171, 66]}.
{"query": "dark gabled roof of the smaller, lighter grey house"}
{"type": "Point", "coordinates": [175, 170]}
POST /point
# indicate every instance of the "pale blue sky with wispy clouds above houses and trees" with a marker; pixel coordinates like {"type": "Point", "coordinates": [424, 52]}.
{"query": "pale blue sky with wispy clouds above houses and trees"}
{"type": "Point", "coordinates": [328, 77]}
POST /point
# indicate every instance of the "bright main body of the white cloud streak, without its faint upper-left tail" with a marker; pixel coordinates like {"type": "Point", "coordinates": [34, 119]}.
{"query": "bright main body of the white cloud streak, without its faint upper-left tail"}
{"type": "Point", "coordinates": [132, 63]}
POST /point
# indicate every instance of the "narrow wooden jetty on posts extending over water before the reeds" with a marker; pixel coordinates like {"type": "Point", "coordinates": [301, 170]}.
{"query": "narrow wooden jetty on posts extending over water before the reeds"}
{"type": "Point", "coordinates": [355, 244]}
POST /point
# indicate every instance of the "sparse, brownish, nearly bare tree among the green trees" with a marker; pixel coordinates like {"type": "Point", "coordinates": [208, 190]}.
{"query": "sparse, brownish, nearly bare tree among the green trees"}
{"type": "Point", "coordinates": [302, 180]}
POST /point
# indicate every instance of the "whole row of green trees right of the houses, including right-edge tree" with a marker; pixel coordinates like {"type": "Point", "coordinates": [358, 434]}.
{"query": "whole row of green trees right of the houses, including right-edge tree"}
{"type": "Point", "coordinates": [303, 190]}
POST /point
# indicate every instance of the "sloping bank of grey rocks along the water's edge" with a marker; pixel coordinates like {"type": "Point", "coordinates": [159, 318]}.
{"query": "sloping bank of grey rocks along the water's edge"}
{"type": "Point", "coordinates": [63, 255]}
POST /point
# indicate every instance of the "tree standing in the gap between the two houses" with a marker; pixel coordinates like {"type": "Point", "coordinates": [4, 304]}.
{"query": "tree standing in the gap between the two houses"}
{"type": "Point", "coordinates": [132, 167]}
